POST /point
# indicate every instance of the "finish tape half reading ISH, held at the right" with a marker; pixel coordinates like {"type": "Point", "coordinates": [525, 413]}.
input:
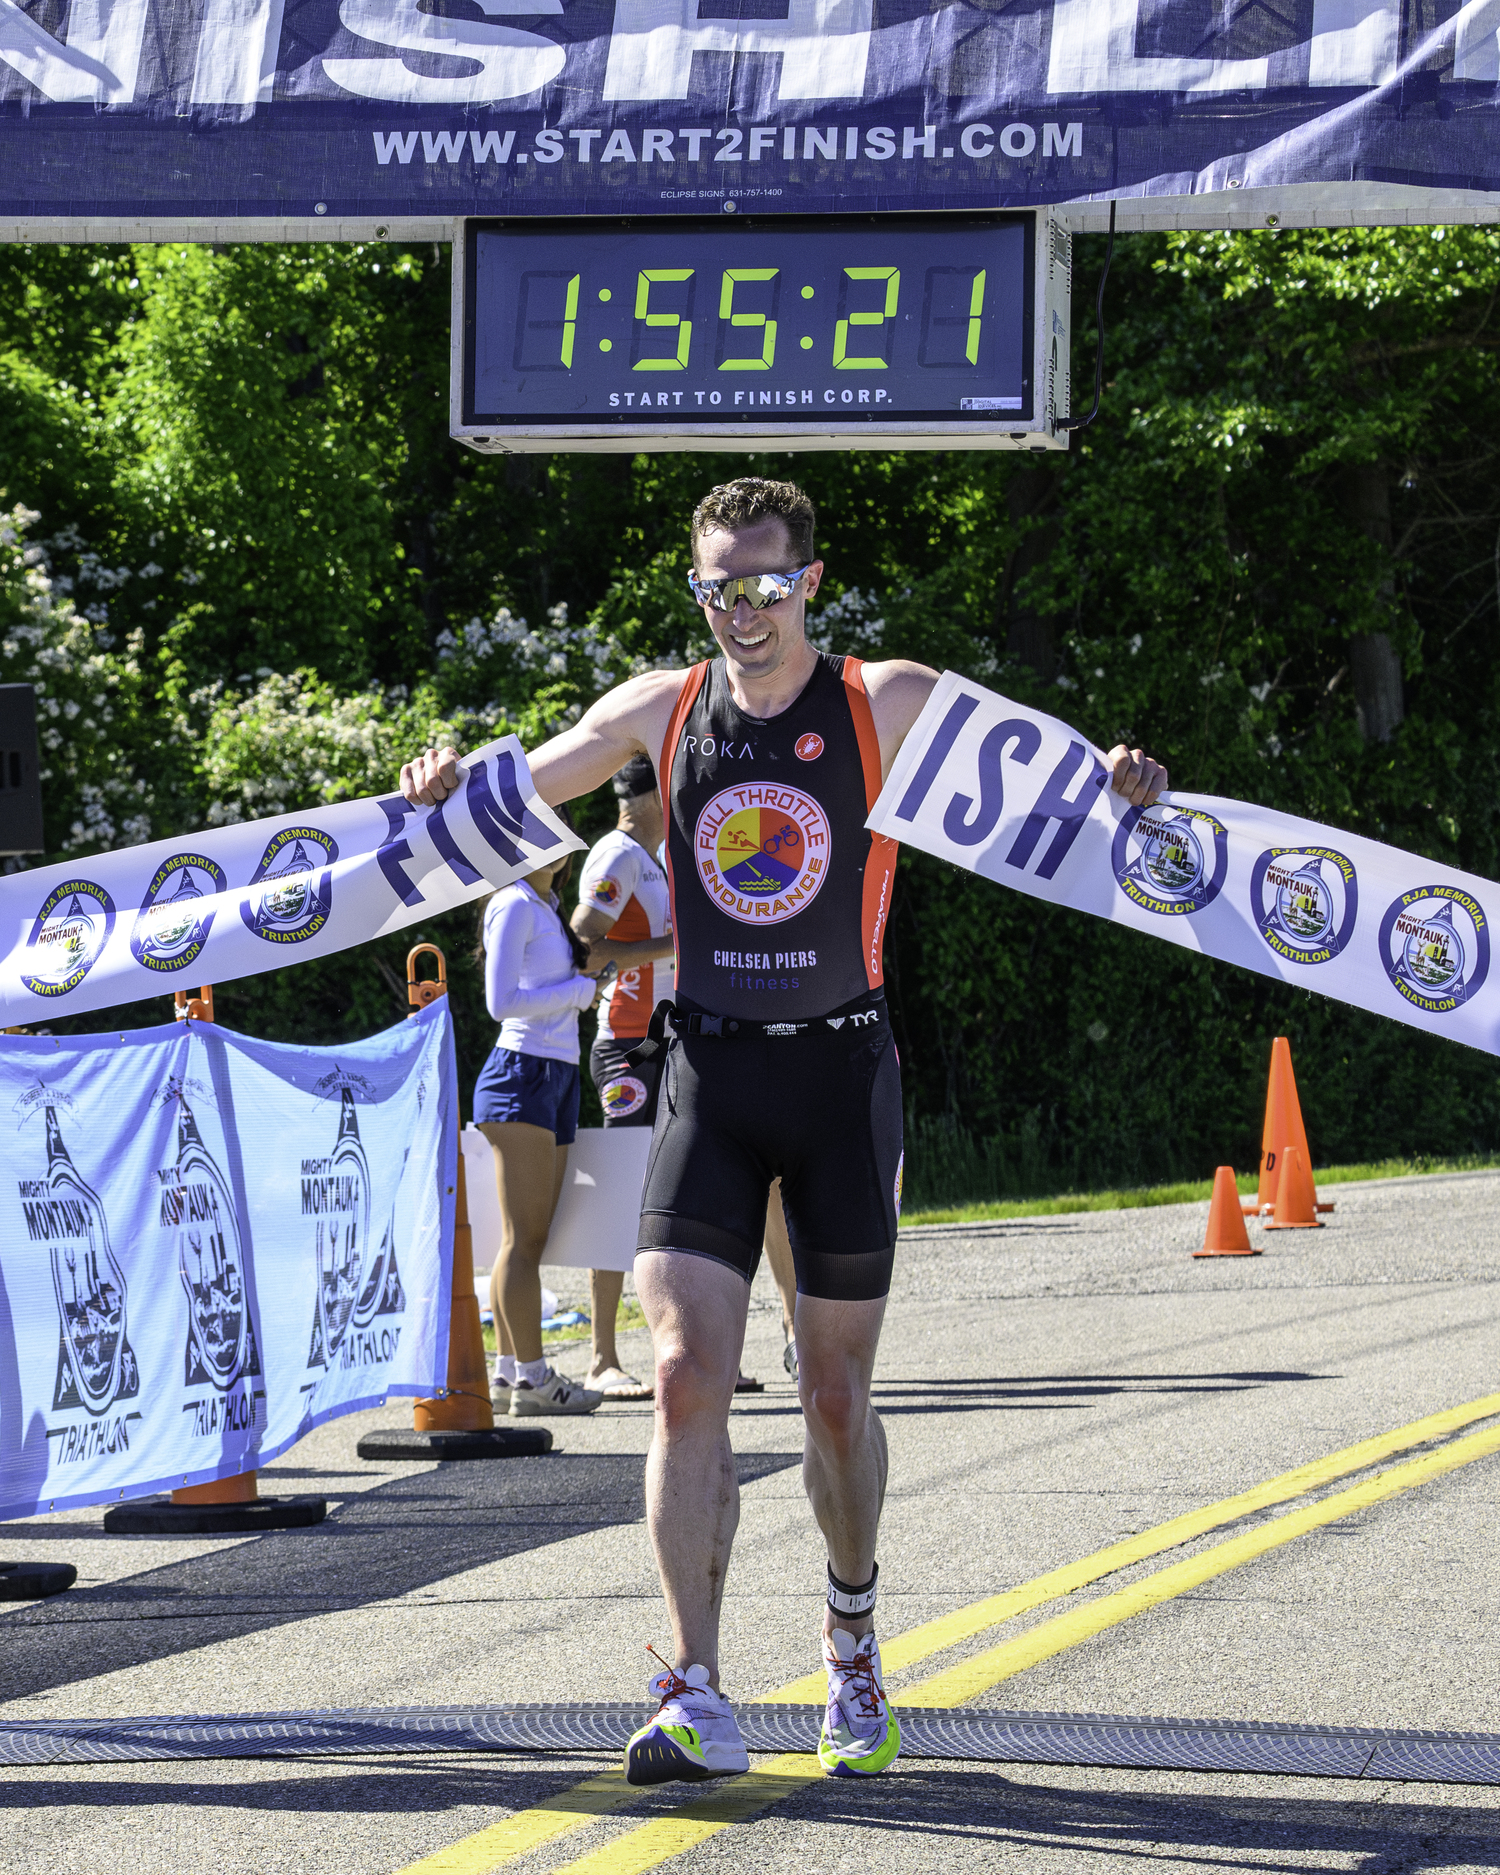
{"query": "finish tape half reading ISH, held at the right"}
{"type": "Point", "coordinates": [1025, 802]}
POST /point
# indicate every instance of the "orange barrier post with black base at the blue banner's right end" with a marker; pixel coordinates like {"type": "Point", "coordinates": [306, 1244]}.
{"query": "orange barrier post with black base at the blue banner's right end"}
{"type": "Point", "coordinates": [458, 1422]}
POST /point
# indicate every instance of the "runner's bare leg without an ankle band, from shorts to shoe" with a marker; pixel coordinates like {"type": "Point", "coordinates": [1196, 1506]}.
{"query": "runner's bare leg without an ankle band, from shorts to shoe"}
{"type": "Point", "coordinates": [697, 1312]}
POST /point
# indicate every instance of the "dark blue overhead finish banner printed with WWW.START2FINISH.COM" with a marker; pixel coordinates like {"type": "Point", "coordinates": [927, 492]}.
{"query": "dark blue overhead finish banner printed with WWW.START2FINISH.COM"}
{"type": "Point", "coordinates": [226, 110]}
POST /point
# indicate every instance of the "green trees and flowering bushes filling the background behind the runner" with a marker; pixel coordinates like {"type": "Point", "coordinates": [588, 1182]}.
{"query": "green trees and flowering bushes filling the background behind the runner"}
{"type": "Point", "coordinates": [248, 569]}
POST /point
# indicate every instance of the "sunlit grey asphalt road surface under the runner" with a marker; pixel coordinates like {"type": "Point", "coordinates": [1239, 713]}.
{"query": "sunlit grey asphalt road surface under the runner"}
{"type": "Point", "coordinates": [1049, 1388]}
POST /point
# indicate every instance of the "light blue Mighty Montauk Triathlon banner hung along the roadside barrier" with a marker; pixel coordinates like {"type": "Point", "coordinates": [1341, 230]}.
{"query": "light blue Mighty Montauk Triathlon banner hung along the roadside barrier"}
{"type": "Point", "coordinates": [211, 1246]}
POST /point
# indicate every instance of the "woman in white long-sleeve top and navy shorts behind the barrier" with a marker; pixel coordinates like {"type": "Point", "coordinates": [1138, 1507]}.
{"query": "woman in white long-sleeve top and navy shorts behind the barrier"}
{"type": "Point", "coordinates": [526, 1105]}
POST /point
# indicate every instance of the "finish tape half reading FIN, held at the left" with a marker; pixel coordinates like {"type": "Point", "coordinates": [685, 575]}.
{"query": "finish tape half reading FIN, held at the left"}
{"type": "Point", "coordinates": [239, 901]}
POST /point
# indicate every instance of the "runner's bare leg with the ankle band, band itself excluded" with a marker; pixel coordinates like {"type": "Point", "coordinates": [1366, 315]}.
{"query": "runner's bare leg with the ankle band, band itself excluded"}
{"type": "Point", "coordinates": [845, 1456]}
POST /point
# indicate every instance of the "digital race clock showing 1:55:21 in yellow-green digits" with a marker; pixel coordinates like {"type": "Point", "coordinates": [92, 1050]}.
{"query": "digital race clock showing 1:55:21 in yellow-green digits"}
{"type": "Point", "coordinates": [905, 331]}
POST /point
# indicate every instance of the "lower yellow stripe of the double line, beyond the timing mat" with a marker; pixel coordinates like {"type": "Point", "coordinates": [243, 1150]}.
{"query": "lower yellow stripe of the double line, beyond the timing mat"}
{"type": "Point", "coordinates": [978, 1675]}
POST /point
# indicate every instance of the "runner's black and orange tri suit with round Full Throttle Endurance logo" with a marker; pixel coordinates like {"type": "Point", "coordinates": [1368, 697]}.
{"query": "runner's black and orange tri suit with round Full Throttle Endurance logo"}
{"type": "Point", "coordinates": [783, 1062]}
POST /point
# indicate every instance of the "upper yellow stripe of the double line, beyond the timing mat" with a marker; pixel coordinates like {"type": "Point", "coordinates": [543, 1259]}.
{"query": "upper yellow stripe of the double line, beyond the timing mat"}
{"type": "Point", "coordinates": [931, 1638]}
